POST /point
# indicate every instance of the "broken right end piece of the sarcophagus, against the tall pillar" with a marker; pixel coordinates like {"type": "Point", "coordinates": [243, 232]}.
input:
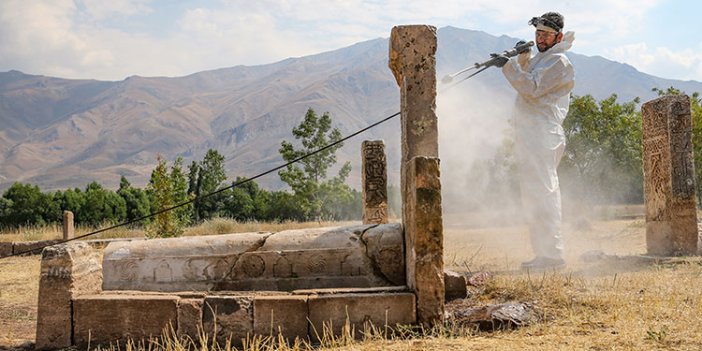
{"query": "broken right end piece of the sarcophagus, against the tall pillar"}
{"type": "Point", "coordinates": [384, 245]}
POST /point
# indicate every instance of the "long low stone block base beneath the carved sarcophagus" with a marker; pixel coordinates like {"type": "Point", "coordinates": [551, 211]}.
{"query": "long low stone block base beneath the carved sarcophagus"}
{"type": "Point", "coordinates": [115, 316]}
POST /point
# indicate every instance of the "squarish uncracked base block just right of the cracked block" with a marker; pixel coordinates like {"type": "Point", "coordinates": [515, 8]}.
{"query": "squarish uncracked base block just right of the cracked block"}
{"type": "Point", "coordinates": [284, 315]}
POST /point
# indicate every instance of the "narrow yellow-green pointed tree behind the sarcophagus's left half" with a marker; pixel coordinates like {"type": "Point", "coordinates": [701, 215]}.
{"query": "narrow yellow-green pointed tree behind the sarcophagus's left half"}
{"type": "Point", "coordinates": [162, 196]}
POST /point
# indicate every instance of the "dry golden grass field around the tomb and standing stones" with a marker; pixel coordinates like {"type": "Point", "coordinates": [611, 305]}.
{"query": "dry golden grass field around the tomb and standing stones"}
{"type": "Point", "coordinates": [621, 302]}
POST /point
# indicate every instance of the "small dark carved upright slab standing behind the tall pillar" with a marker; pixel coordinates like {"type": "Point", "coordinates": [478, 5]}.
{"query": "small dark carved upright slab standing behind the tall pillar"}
{"type": "Point", "coordinates": [375, 182]}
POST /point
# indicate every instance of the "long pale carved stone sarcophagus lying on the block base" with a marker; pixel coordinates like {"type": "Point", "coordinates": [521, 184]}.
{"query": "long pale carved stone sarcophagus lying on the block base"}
{"type": "Point", "coordinates": [284, 261]}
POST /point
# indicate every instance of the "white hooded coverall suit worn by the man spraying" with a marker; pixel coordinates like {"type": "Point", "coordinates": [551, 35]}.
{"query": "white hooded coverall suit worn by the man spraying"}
{"type": "Point", "coordinates": [543, 84]}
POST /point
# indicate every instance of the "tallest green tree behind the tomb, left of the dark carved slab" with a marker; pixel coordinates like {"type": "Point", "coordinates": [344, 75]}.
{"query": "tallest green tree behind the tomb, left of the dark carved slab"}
{"type": "Point", "coordinates": [311, 188]}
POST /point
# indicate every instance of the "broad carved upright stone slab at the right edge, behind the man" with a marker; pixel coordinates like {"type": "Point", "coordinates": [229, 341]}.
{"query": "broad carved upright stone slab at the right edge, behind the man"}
{"type": "Point", "coordinates": [669, 177]}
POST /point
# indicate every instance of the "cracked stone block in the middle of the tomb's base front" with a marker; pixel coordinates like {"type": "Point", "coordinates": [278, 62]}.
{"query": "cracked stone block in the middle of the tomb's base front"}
{"type": "Point", "coordinates": [228, 318]}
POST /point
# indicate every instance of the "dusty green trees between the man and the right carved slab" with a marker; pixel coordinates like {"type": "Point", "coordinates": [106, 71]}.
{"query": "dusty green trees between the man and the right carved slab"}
{"type": "Point", "coordinates": [603, 155]}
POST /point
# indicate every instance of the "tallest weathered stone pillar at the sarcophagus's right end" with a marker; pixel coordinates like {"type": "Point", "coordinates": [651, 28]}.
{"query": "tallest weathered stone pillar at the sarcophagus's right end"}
{"type": "Point", "coordinates": [412, 60]}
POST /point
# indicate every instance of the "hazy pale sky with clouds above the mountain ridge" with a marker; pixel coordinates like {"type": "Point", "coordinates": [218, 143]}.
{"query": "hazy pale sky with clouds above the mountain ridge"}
{"type": "Point", "coordinates": [114, 39]}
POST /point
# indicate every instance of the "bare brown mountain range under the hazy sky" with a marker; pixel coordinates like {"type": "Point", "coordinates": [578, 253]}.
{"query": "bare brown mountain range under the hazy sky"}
{"type": "Point", "coordinates": [59, 133]}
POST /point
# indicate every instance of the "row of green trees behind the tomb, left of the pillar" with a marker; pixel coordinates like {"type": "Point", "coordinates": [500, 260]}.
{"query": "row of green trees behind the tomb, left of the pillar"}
{"type": "Point", "coordinates": [202, 192]}
